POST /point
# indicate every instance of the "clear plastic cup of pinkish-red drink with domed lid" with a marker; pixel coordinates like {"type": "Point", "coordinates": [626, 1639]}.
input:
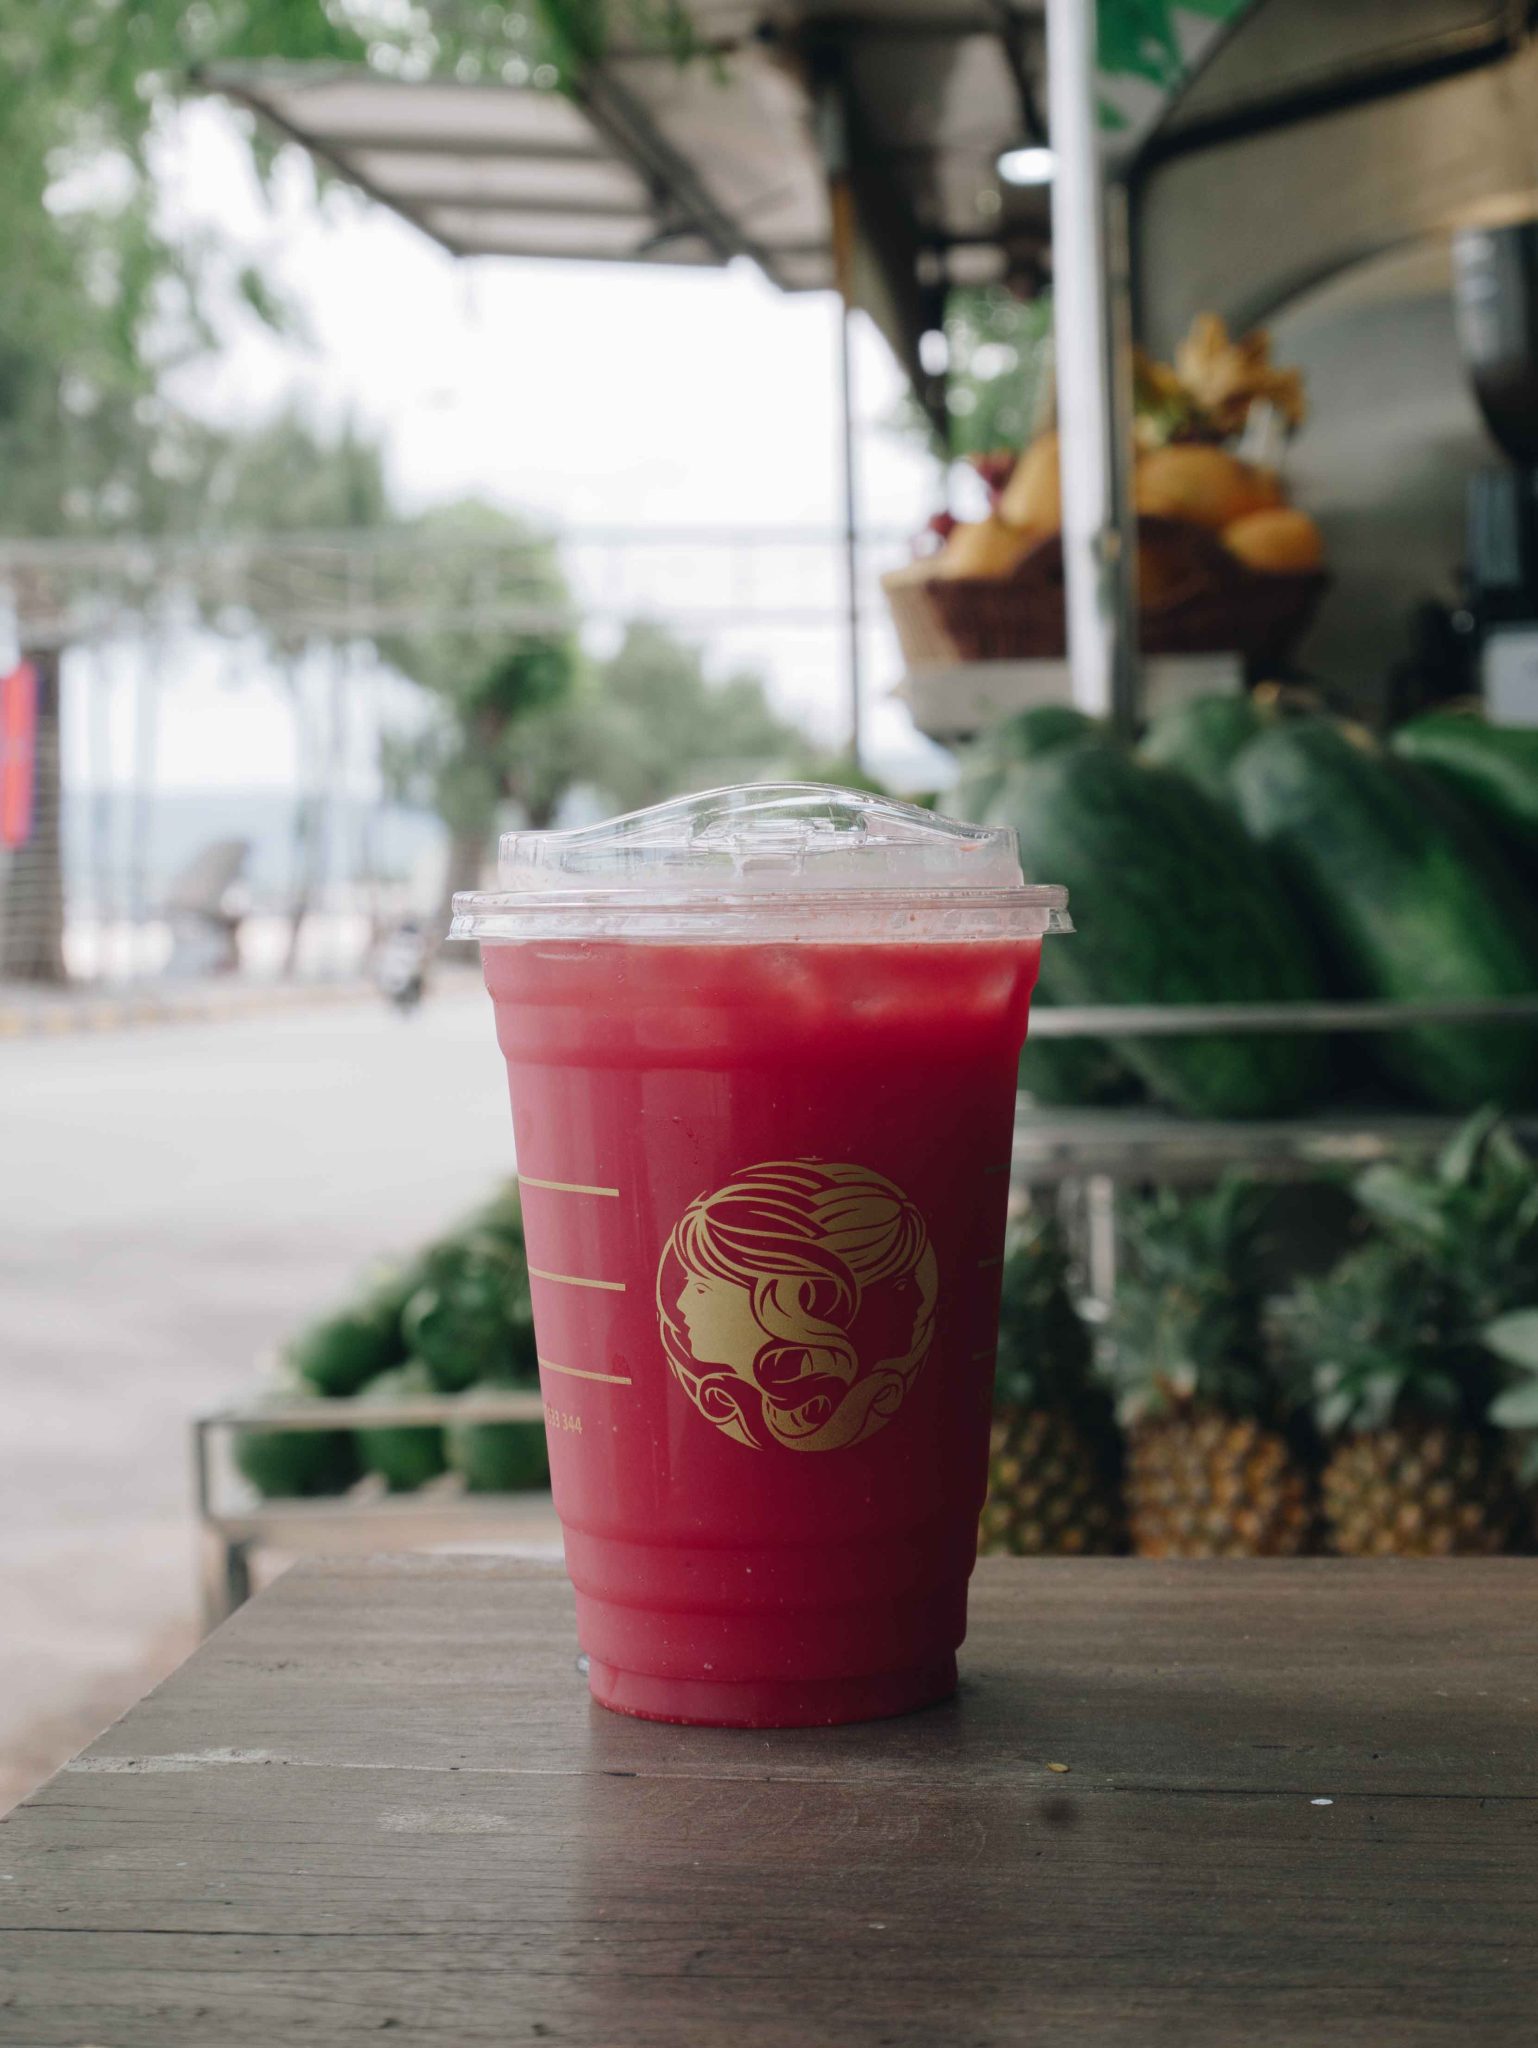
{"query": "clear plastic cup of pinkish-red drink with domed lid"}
{"type": "Point", "coordinates": [763, 1066]}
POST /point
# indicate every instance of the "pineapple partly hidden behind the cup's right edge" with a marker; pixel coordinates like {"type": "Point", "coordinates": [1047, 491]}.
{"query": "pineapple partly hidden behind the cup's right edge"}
{"type": "Point", "coordinates": [1052, 1457]}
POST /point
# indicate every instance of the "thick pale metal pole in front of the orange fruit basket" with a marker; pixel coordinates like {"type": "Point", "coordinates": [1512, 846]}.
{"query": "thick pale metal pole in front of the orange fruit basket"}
{"type": "Point", "coordinates": [1099, 556]}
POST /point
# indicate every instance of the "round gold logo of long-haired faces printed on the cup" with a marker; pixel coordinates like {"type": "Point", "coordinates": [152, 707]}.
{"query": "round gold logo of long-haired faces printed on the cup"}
{"type": "Point", "coordinates": [798, 1304]}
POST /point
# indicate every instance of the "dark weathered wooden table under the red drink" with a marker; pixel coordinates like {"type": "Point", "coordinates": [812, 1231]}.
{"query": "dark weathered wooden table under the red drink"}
{"type": "Point", "coordinates": [1301, 1805]}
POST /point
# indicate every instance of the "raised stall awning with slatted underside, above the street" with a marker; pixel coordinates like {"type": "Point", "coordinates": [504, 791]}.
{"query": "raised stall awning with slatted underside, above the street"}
{"type": "Point", "coordinates": [660, 163]}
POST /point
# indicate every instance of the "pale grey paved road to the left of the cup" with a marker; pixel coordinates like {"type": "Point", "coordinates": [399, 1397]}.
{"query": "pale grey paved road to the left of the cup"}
{"type": "Point", "coordinates": [173, 1201]}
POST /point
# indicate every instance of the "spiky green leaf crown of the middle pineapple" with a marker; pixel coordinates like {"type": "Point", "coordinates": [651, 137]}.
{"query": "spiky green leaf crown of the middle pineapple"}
{"type": "Point", "coordinates": [1187, 1316]}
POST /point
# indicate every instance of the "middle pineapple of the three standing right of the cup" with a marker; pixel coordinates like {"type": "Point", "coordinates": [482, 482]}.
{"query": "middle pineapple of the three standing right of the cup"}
{"type": "Point", "coordinates": [1209, 1469]}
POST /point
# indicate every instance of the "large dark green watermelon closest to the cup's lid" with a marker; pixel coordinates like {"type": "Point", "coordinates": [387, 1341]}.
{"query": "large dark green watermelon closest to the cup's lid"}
{"type": "Point", "coordinates": [1172, 904]}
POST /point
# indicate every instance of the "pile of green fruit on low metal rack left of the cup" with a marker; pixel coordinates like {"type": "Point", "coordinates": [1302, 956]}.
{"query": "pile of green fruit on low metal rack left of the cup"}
{"type": "Point", "coordinates": [458, 1320]}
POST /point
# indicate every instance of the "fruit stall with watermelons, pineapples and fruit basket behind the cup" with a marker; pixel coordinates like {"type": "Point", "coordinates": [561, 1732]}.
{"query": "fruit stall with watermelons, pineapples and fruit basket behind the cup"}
{"type": "Point", "coordinates": [1275, 1277]}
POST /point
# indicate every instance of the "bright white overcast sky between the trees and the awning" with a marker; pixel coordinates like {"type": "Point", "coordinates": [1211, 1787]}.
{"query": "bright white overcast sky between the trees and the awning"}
{"type": "Point", "coordinates": [581, 394]}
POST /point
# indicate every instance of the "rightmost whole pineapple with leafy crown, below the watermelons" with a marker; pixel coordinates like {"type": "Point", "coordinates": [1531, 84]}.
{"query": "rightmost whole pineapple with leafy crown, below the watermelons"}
{"type": "Point", "coordinates": [1400, 1398]}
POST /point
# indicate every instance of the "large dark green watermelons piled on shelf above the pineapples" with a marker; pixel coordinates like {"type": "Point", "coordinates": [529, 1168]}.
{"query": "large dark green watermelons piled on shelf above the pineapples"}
{"type": "Point", "coordinates": [1256, 855]}
